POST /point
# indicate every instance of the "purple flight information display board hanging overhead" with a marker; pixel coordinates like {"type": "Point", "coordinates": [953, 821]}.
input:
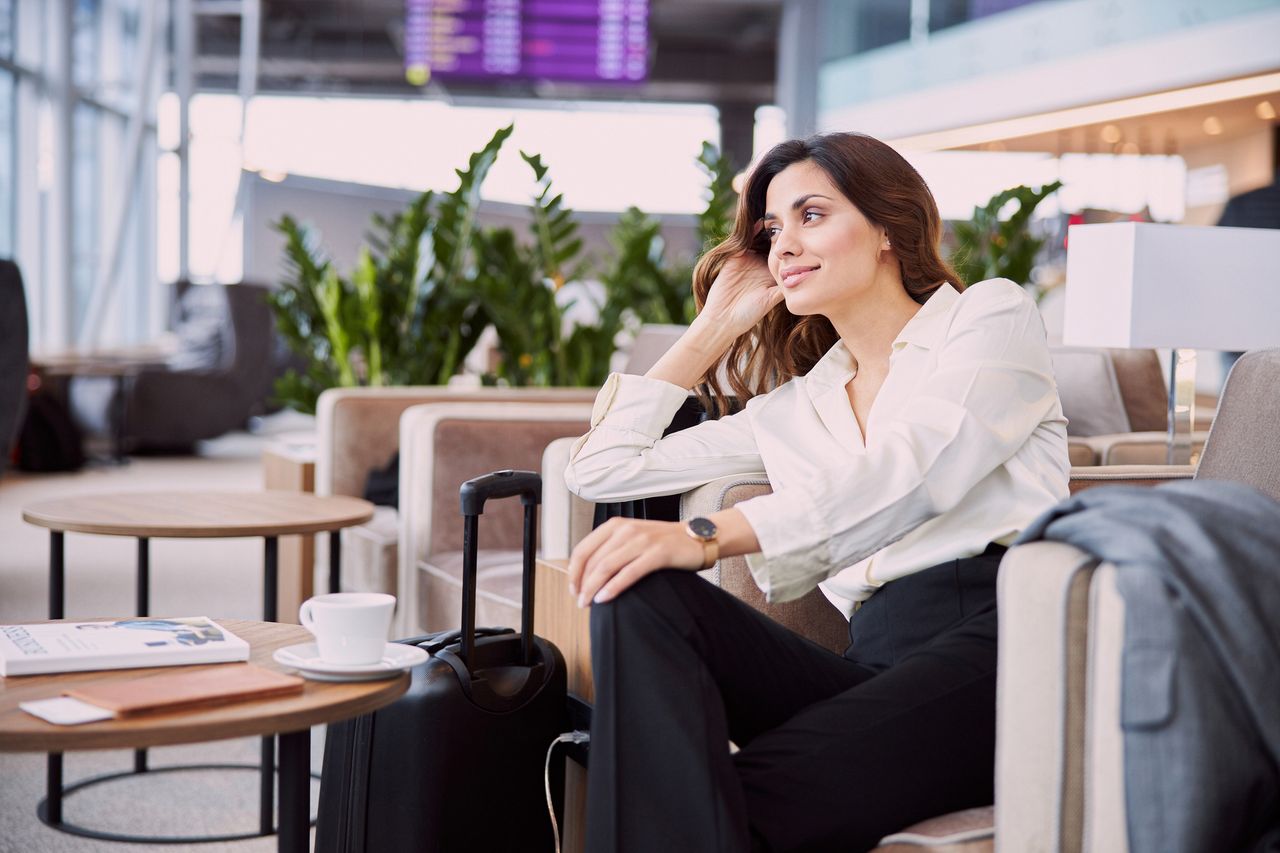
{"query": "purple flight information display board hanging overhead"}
{"type": "Point", "coordinates": [588, 42]}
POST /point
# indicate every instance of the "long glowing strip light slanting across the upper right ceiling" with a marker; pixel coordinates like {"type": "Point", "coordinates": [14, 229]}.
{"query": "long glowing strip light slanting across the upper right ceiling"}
{"type": "Point", "coordinates": [1116, 111]}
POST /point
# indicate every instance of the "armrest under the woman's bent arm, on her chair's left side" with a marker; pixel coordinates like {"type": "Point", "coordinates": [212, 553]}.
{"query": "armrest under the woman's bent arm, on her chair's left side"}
{"type": "Point", "coordinates": [811, 617]}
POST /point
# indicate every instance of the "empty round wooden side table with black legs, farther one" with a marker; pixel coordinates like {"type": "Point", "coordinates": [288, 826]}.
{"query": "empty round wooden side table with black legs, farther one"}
{"type": "Point", "coordinates": [194, 516]}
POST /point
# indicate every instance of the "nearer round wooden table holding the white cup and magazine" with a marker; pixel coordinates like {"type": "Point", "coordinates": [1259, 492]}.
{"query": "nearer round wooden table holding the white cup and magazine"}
{"type": "Point", "coordinates": [290, 717]}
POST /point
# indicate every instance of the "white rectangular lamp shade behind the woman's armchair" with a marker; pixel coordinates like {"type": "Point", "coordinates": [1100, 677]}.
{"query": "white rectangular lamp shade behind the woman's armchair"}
{"type": "Point", "coordinates": [1144, 285]}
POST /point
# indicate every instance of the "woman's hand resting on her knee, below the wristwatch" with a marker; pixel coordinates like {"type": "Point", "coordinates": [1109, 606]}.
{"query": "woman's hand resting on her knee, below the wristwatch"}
{"type": "Point", "coordinates": [623, 551]}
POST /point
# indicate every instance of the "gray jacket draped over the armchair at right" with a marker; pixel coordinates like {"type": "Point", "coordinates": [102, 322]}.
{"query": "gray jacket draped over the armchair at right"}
{"type": "Point", "coordinates": [1199, 568]}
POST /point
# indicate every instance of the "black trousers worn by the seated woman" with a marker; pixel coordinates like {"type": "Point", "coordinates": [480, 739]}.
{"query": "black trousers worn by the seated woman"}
{"type": "Point", "coordinates": [835, 751]}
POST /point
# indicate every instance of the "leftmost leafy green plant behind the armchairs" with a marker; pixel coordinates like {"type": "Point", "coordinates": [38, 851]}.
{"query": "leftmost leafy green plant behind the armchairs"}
{"type": "Point", "coordinates": [406, 313]}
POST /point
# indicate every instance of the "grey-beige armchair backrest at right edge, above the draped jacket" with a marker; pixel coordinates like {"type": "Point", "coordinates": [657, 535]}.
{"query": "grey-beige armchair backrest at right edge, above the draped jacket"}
{"type": "Point", "coordinates": [1245, 441]}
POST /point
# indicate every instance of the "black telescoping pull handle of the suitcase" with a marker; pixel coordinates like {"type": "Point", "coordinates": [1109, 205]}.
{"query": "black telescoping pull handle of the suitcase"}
{"type": "Point", "coordinates": [474, 494]}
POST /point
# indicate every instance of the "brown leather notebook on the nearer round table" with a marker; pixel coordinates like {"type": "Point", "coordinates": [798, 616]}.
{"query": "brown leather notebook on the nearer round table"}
{"type": "Point", "coordinates": [182, 690]}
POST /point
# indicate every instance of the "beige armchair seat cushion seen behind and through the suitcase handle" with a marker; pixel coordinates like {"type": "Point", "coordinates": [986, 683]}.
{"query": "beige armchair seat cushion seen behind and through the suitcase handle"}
{"type": "Point", "coordinates": [499, 587]}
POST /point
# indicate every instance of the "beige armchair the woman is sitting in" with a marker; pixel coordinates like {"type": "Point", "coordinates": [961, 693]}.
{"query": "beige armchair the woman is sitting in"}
{"type": "Point", "coordinates": [1059, 764]}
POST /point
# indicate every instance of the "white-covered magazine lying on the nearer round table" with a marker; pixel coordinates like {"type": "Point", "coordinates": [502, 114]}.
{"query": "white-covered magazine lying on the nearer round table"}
{"type": "Point", "coordinates": [120, 645]}
